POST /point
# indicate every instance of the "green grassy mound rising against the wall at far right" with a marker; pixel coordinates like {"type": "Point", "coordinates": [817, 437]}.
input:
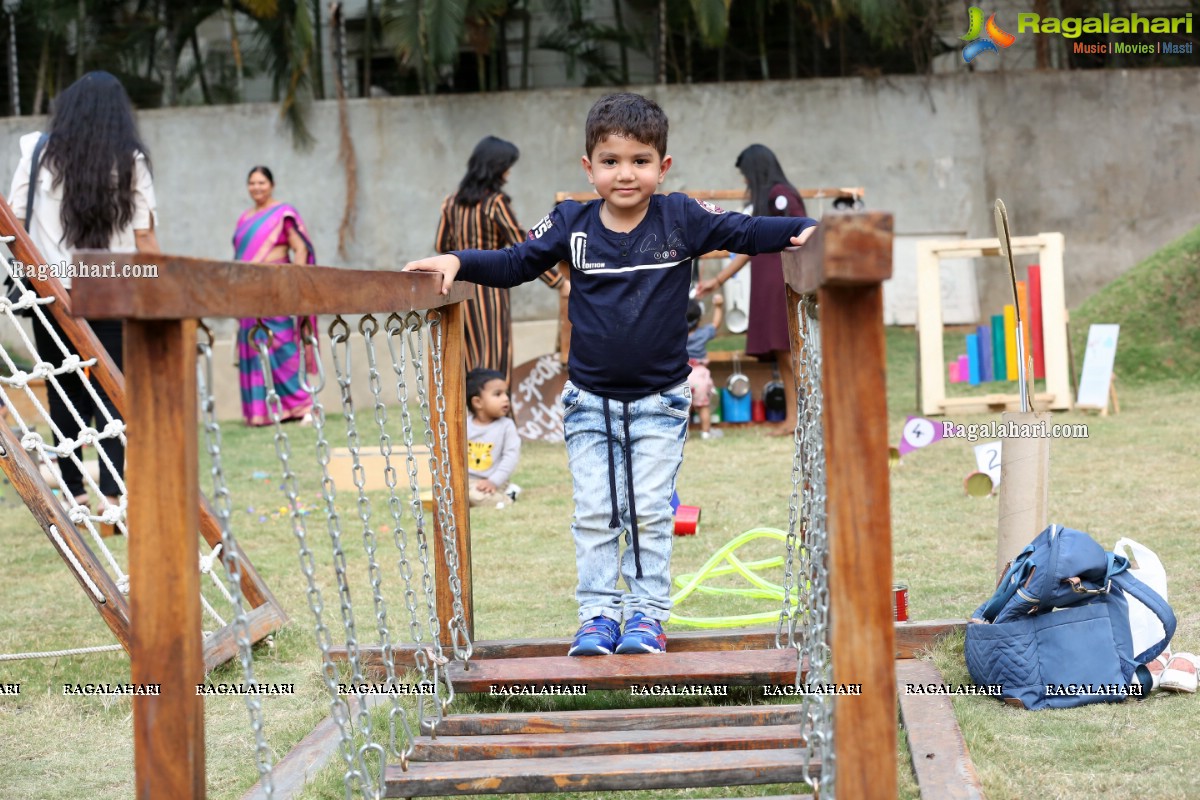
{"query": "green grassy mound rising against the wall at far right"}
{"type": "Point", "coordinates": [1157, 305]}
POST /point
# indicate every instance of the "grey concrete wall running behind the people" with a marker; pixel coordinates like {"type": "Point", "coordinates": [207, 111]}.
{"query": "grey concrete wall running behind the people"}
{"type": "Point", "coordinates": [1107, 158]}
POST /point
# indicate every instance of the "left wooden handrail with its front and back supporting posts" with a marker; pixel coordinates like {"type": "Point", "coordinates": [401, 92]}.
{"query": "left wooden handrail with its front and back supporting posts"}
{"type": "Point", "coordinates": [160, 339]}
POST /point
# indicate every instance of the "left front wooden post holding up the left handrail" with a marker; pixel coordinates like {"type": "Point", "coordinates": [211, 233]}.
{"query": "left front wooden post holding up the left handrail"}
{"type": "Point", "coordinates": [165, 588]}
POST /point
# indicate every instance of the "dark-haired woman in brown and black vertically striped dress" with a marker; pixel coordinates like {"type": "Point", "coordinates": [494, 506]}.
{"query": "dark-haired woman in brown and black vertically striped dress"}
{"type": "Point", "coordinates": [479, 216]}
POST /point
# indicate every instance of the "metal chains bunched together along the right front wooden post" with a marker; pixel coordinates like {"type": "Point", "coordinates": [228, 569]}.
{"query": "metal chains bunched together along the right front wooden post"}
{"type": "Point", "coordinates": [818, 711]}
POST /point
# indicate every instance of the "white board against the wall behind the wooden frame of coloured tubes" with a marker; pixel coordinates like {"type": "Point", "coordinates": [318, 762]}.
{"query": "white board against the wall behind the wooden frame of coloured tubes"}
{"type": "Point", "coordinates": [961, 294]}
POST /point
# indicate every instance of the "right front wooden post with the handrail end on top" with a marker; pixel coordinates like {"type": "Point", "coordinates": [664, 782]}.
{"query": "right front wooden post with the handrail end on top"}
{"type": "Point", "coordinates": [845, 266]}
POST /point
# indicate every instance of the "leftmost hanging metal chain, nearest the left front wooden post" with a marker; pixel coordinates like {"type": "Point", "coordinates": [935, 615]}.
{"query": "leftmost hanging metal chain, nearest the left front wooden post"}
{"type": "Point", "coordinates": [231, 555]}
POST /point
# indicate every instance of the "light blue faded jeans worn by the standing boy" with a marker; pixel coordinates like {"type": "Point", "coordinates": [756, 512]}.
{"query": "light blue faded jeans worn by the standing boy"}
{"type": "Point", "coordinates": [597, 454]}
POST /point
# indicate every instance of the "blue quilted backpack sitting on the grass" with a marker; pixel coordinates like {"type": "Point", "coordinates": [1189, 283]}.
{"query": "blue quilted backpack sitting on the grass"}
{"type": "Point", "coordinates": [1057, 631]}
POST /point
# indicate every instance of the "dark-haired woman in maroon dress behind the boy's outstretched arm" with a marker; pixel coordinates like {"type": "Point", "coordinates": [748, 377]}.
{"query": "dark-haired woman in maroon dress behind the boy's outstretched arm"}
{"type": "Point", "coordinates": [771, 195]}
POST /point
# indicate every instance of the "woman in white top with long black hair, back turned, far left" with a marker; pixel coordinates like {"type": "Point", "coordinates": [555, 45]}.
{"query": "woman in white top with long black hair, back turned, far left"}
{"type": "Point", "coordinates": [94, 191]}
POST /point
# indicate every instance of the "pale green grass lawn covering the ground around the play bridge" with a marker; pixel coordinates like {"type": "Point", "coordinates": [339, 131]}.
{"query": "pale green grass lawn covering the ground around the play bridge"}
{"type": "Point", "coordinates": [1136, 476]}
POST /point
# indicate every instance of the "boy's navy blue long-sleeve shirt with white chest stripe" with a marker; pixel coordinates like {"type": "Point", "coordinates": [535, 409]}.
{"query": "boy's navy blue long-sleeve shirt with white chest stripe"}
{"type": "Point", "coordinates": [629, 291]}
